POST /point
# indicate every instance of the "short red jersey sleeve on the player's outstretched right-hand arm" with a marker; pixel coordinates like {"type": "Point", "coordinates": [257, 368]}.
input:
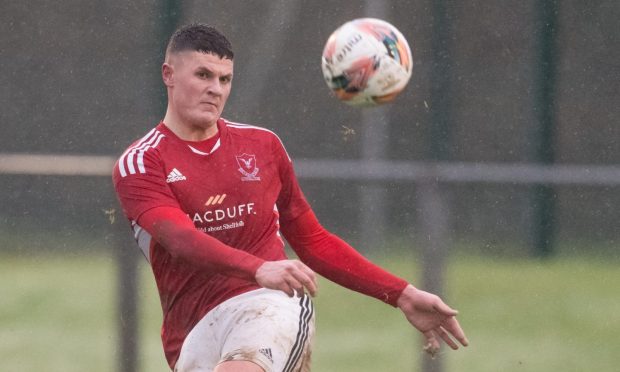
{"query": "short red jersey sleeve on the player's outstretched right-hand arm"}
{"type": "Point", "coordinates": [291, 202]}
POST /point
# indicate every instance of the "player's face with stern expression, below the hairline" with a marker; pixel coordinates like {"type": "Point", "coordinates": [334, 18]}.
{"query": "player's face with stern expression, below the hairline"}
{"type": "Point", "coordinates": [199, 85]}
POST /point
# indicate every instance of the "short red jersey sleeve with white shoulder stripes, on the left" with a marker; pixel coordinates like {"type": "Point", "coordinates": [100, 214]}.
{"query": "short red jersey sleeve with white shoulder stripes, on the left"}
{"type": "Point", "coordinates": [142, 186]}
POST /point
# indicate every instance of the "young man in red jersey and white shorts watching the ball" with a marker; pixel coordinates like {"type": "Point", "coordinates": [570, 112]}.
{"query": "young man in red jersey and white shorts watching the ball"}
{"type": "Point", "coordinates": [208, 199]}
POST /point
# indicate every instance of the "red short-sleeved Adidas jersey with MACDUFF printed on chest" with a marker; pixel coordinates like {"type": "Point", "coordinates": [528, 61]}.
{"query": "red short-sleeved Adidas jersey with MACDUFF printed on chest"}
{"type": "Point", "coordinates": [237, 192]}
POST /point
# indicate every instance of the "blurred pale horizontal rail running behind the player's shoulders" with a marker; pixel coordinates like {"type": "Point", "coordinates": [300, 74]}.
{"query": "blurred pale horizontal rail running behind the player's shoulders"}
{"type": "Point", "coordinates": [358, 170]}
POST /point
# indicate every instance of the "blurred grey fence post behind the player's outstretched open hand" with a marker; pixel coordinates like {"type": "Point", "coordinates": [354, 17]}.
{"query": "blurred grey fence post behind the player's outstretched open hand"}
{"type": "Point", "coordinates": [433, 222]}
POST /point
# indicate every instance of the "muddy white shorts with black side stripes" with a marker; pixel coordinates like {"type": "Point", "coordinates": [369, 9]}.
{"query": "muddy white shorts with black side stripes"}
{"type": "Point", "coordinates": [263, 326]}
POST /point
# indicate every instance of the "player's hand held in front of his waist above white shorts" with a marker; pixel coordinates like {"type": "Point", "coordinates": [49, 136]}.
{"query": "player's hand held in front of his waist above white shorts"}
{"type": "Point", "coordinates": [289, 276]}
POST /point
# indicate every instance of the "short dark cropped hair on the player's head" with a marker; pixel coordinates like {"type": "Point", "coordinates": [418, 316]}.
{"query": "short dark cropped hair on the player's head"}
{"type": "Point", "coordinates": [201, 38]}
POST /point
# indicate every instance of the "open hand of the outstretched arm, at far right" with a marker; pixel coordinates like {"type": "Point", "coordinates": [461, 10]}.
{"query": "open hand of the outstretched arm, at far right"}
{"type": "Point", "coordinates": [431, 316]}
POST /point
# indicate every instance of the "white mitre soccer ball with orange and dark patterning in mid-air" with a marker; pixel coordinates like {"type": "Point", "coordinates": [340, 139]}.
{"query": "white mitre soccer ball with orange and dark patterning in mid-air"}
{"type": "Point", "coordinates": [366, 62]}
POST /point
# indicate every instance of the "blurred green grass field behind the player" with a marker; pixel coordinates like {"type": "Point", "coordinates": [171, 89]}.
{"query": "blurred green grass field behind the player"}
{"type": "Point", "coordinates": [57, 313]}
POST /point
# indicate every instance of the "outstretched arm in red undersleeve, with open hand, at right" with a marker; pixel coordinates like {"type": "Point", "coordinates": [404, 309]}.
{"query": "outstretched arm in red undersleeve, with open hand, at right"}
{"type": "Point", "coordinates": [333, 258]}
